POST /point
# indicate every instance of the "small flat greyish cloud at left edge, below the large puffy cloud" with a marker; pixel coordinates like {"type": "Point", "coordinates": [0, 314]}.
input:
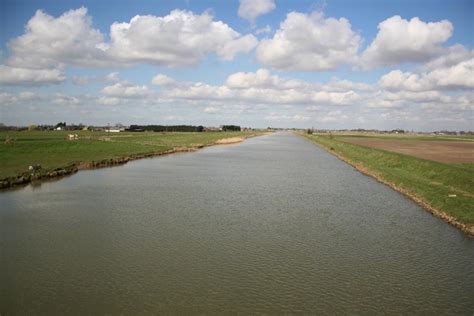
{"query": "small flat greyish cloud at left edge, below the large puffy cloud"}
{"type": "Point", "coordinates": [27, 76]}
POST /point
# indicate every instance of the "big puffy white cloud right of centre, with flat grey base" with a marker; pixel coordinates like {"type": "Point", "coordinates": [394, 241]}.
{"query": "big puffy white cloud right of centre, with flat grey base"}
{"type": "Point", "coordinates": [310, 42]}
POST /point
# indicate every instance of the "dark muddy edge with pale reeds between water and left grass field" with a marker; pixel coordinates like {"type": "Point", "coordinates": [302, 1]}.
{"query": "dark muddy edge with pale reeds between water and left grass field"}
{"type": "Point", "coordinates": [26, 178]}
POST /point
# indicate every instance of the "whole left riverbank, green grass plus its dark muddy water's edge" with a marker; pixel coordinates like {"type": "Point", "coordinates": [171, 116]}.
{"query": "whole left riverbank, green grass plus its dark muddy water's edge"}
{"type": "Point", "coordinates": [59, 157]}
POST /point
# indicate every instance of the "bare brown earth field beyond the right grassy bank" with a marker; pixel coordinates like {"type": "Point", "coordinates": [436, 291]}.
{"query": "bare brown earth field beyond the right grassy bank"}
{"type": "Point", "coordinates": [441, 151]}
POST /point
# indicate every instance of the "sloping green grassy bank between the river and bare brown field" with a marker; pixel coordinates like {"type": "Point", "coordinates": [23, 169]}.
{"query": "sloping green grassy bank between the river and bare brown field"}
{"type": "Point", "coordinates": [444, 189]}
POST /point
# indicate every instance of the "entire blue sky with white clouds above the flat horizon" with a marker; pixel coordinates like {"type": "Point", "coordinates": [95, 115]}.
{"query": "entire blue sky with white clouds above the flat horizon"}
{"type": "Point", "coordinates": [334, 64]}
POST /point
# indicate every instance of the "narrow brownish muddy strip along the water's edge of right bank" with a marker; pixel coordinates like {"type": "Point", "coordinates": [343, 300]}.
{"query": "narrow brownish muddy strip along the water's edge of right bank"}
{"type": "Point", "coordinates": [469, 230]}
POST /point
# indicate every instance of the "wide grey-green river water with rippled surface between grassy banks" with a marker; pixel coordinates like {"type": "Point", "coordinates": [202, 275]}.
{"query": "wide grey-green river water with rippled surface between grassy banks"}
{"type": "Point", "coordinates": [271, 225]}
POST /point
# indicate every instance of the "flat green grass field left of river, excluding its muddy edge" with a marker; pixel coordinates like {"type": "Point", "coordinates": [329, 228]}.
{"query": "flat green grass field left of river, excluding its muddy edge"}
{"type": "Point", "coordinates": [52, 150]}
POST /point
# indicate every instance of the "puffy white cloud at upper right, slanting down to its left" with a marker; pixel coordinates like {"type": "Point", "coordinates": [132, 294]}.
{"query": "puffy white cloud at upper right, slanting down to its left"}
{"type": "Point", "coordinates": [402, 41]}
